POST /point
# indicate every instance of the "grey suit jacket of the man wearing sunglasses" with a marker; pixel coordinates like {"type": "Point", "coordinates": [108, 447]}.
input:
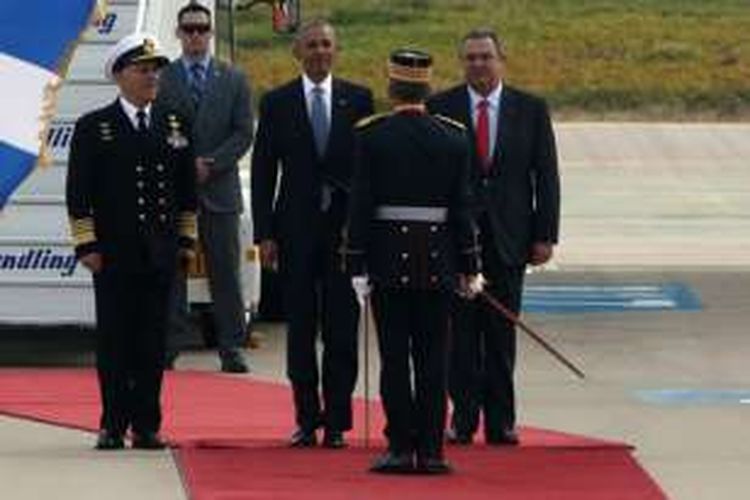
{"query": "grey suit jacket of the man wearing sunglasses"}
{"type": "Point", "coordinates": [222, 127]}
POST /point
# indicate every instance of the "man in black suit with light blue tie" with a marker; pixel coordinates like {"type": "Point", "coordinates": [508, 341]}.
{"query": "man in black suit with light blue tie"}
{"type": "Point", "coordinates": [306, 130]}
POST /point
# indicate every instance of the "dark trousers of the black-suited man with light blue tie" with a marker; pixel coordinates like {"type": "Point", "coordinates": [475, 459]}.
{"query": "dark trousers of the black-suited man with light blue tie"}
{"type": "Point", "coordinates": [318, 297]}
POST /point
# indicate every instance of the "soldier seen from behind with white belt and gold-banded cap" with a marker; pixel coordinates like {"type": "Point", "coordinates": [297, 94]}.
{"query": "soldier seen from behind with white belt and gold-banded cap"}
{"type": "Point", "coordinates": [412, 238]}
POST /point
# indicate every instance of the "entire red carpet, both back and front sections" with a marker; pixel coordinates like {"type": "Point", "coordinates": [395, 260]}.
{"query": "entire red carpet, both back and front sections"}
{"type": "Point", "coordinates": [231, 431]}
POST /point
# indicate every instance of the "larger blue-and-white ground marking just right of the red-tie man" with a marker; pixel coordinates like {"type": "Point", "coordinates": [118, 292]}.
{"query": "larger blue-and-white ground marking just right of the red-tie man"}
{"type": "Point", "coordinates": [571, 298]}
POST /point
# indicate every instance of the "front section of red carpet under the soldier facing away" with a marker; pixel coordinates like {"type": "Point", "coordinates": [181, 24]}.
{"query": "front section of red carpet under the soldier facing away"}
{"type": "Point", "coordinates": [481, 473]}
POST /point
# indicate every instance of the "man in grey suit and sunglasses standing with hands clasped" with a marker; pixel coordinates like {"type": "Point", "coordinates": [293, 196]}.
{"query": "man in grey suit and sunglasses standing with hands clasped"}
{"type": "Point", "coordinates": [215, 97]}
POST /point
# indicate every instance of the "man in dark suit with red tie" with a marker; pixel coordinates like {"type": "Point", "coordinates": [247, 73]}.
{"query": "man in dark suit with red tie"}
{"type": "Point", "coordinates": [516, 187]}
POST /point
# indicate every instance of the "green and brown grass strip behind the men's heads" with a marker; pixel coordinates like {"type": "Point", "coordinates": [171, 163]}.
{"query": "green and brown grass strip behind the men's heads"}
{"type": "Point", "coordinates": [661, 59]}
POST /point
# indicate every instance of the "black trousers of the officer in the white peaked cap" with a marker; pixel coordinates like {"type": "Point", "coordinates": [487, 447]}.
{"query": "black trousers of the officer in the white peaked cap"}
{"type": "Point", "coordinates": [131, 311]}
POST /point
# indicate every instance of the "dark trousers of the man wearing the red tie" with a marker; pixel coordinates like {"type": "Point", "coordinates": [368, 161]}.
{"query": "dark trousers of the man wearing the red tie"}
{"type": "Point", "coordinates": [483, 349]}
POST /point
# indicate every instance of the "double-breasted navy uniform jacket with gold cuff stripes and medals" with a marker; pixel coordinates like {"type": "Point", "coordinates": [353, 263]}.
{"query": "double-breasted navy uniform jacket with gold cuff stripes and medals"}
{"type": "Point", "coordinates": [129, 198]}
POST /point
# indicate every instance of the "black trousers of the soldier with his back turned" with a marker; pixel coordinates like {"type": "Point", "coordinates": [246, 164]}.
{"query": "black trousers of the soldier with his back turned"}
{"type": "Point", "coordinates": [412, 331]}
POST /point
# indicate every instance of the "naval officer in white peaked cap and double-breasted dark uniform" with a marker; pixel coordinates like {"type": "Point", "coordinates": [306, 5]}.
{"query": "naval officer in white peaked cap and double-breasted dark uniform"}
{"type": "Point", "coordinates": [131, 201]}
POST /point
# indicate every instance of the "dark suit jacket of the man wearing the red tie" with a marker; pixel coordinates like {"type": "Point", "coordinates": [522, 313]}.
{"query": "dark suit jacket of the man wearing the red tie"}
{"type": "Point", "coordinates": [521, 196]}
